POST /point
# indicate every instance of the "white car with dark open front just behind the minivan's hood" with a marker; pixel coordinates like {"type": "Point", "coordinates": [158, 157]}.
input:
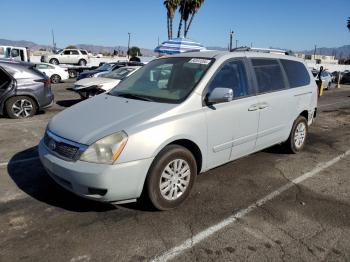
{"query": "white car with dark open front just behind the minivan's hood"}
{"type": "Point", "coordinates": [89, 87]}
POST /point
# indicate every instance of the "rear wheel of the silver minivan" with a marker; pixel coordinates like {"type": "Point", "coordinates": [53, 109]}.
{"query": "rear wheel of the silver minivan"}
{"type": "Point", "coordinates": [298, 135]}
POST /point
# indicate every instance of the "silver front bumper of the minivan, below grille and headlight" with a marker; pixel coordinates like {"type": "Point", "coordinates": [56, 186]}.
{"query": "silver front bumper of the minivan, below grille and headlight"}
{"type": "Point", "coordinates": [101, 182]}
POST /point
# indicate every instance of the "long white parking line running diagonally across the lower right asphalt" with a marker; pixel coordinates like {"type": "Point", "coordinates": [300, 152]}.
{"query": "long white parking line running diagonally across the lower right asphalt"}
{"type": "Point", "coordinates": [199, 237]}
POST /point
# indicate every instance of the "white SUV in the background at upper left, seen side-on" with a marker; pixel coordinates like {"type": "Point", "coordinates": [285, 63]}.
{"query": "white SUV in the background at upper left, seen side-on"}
{"type": "Point", "coordinates": [67, 56]}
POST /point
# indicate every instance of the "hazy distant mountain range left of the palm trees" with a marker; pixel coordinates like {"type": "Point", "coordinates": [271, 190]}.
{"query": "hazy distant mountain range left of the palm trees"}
{"type": "Point", "coordinates": [93, 48]}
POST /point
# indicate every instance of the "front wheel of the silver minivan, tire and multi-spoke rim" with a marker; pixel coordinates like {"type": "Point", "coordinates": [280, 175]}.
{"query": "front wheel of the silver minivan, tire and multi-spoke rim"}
{"type": "Point", "coordinates": [161, 172]}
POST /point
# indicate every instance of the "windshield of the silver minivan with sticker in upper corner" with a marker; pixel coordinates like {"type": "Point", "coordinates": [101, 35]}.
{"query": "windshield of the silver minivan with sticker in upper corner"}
{"type": "Point", "coordinates": [168, 80]}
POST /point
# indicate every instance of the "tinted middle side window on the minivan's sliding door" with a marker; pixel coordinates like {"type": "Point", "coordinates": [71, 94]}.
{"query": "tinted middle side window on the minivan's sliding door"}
{"type": "Point", "coordinates": [268, 75]}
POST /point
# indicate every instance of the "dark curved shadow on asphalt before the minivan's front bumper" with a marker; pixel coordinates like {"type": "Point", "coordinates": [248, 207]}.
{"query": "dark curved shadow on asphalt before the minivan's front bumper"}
{"type": "Point", "coordinates": [31, 177]}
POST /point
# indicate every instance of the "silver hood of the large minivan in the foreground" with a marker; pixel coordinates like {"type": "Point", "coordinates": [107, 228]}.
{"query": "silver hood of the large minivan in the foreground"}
{"type": "Point", "coordinates": [95, 118]}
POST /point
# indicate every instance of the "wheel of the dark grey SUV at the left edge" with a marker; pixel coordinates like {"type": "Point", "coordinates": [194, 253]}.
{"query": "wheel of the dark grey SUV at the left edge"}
{"type": "Point", "coordinates": [20, 107]}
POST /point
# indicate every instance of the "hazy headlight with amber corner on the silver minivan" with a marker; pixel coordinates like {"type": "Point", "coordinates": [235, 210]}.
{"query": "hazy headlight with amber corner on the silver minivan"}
{"type": "Point", "coordinates": [106, 150]}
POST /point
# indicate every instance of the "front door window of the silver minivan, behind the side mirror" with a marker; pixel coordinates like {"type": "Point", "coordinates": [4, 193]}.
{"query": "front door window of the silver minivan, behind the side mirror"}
{"type": "Point", "coordinates": [232, 75]}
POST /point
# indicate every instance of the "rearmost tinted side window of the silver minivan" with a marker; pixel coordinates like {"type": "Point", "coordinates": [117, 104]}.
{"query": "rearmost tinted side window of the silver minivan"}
{"type": "Point", "coordinates": [296, 72]}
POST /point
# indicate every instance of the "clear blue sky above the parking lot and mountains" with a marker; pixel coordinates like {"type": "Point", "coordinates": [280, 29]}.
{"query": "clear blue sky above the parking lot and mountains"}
{"type": "Point", "coordinates": [289, 24]}
